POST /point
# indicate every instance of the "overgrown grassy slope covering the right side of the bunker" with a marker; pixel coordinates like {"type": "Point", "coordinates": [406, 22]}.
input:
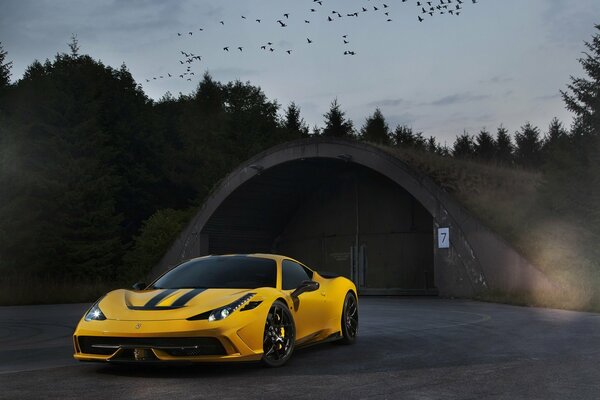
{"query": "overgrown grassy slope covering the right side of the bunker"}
{"type": "Point", "coordinates": [507, 200]}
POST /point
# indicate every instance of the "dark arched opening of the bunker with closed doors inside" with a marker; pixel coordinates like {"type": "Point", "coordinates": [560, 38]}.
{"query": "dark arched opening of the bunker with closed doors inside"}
{"type": "Point", "coordinates": [335, 216]}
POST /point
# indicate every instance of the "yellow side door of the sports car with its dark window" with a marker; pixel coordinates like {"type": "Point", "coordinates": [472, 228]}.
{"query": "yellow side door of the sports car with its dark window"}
{"type": "Point", "coordinates": [309, 306]}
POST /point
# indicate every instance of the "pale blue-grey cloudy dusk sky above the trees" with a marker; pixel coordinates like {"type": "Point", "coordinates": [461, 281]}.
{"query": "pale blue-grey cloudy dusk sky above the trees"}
{"type": "Point", "coordinates": [498, 62]}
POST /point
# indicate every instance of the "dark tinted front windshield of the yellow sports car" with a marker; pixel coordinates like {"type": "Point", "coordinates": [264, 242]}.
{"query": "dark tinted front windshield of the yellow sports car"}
{"type": "Point", "coordinates": [232, 272]}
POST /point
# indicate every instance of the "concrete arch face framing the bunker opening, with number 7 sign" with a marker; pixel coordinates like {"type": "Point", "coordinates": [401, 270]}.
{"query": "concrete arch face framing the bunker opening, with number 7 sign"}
{"type": "Point", "coordinates": [477, 260]}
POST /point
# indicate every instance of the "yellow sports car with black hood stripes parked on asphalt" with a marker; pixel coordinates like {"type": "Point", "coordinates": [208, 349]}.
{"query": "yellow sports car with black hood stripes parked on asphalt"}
{"type": "Point", "coordinates": [220, 308]}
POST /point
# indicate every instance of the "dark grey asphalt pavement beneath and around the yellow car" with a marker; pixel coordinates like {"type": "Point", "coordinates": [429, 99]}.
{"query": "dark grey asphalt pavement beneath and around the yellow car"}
{"type": "Point", "coordinates": [408, 348]}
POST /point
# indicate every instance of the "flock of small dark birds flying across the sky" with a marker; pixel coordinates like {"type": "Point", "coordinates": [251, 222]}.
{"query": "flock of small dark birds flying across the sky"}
{"type": "Point", "coordinates": [317, 12]}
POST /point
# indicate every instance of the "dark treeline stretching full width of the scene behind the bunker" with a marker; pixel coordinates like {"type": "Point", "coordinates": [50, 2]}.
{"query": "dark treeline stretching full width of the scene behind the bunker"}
{"type": "Point", "coordinates": [96, 178]}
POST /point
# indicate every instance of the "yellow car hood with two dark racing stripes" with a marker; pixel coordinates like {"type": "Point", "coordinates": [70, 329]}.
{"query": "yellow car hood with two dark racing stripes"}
{"type": "Point", "coordinates": [166, 304]}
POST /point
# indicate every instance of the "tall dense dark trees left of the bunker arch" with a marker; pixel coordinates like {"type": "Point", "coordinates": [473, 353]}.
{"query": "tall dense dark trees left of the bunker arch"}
{"type": "Point", "coordinates": [86, 158]}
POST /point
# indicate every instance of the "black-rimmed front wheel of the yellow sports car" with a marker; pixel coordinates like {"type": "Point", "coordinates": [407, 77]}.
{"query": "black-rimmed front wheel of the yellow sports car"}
{"type": "Point", "coordinates": [280, 335]}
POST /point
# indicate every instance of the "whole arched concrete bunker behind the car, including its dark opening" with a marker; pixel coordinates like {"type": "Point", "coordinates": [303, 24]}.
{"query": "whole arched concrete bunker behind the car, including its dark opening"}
{"type": "Point", "coordinates": [354, 209]}
